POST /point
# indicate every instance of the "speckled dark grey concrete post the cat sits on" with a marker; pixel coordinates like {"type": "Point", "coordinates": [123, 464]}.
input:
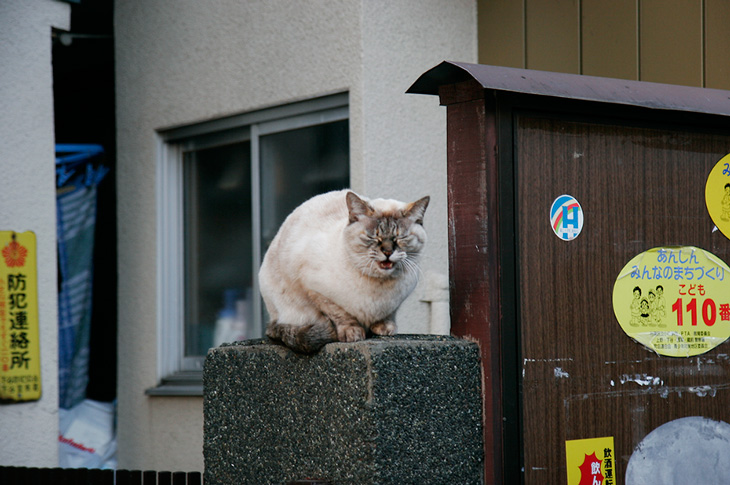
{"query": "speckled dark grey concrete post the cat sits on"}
{"type": "Point", "coordinates": [400, 410]}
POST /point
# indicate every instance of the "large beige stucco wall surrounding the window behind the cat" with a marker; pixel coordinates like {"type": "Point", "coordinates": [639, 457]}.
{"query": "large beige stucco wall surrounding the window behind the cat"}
{"type": "Point", "coordinates": [181, 62]}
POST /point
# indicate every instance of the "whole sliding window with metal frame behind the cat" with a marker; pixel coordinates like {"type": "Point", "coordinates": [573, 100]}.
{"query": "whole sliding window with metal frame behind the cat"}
{"type": "Point", "coordinates": [224, 187]}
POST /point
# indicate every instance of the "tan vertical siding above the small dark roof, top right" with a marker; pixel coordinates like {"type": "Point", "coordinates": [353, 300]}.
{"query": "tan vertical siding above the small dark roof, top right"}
{"type": "Point", "coordinates": [683, 42]}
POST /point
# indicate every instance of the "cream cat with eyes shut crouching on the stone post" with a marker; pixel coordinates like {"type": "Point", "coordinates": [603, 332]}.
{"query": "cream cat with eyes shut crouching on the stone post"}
{"type": "Point", "coordinates": [339, 268]}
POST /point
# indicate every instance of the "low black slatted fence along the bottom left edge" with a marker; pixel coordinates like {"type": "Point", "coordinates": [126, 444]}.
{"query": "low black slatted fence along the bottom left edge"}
{"type": "Point", "coordinates": [81, 476]}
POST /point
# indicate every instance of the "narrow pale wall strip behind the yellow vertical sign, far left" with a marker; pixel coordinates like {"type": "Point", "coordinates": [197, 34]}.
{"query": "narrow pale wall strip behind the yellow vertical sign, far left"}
{"type": "Point", "coordinates": [29, 432]}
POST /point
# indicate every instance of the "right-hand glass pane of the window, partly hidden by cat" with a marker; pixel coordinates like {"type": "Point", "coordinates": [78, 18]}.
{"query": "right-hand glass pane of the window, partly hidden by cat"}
{"type": "Point", "coordinates": [297, 165]}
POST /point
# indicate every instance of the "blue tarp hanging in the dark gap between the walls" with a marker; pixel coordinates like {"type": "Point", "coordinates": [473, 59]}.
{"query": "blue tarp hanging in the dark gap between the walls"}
{"type": "Point", "coordinates": [77, 179]}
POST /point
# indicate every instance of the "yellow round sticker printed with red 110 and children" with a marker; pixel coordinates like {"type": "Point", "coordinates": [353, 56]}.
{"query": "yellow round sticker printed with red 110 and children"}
{"type": "Point", "coordinates": [674, 300]}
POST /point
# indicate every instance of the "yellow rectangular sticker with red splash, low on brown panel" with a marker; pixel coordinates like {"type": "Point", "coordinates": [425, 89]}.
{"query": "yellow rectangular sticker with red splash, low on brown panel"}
{"type": "Point", "coordinates": [591, 461]}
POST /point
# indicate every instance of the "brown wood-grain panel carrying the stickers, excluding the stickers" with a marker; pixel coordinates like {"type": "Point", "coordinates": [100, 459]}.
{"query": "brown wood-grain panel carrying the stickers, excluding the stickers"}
{"type": "Point", "coordinates": [640, 187]}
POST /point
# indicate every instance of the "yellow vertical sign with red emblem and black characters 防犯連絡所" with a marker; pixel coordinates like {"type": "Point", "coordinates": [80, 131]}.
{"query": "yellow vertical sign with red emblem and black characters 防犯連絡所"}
{"type": "Point", "coordinates": [20, 360]}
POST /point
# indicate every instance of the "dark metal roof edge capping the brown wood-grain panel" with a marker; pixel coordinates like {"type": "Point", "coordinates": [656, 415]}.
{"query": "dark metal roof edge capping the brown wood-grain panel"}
{"type": "Point", "coordinates": [573, 86]}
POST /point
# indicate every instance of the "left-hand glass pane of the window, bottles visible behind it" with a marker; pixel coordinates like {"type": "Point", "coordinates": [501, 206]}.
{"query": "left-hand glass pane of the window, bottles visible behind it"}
{"type": "Point", "coordinates": [218, 247]}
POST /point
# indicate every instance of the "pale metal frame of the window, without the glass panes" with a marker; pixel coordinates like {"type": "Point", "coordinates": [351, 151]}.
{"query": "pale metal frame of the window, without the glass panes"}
{"type": "Point", "coordinates": [180, 375]}
